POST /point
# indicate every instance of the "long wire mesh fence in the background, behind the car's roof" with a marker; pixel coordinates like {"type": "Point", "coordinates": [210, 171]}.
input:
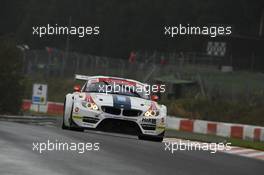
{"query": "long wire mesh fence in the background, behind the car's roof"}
{"type": "Point", "coordinates": [55, 62]}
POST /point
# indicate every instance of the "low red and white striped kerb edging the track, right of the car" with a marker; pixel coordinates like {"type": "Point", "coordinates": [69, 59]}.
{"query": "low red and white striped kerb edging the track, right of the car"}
{"type": "Point", "coordinates": [239, 151]}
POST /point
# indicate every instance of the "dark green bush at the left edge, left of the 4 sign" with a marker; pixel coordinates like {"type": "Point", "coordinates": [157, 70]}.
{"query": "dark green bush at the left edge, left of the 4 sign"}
{"type": "Point", "coordinates": [11, 86]}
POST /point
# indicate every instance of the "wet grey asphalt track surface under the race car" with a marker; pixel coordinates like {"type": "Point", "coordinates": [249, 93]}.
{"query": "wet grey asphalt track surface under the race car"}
{"type": "Point", "coordinates": [118, 154]}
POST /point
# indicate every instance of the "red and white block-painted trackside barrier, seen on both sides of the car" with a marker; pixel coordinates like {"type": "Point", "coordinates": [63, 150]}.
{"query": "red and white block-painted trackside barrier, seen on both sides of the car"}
{"type": "Point", "coordinates": [248, 132]}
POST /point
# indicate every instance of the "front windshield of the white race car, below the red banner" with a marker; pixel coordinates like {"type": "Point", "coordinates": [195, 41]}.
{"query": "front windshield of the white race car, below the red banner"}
{"type": "Point", "coordinates": [116, 88]}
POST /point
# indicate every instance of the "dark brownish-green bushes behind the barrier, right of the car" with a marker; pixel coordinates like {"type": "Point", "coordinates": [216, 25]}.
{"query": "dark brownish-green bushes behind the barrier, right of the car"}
{"type": "Point", "coordinates": [240, 111]}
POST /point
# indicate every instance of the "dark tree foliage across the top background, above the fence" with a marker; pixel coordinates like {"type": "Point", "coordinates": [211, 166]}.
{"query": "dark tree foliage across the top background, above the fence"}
{"type": "Point", "coordinates": [126, 25]}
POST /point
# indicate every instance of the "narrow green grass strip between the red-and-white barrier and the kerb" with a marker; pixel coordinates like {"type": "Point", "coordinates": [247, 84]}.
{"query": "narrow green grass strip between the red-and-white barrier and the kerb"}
{"type": "Point", "coordinates": [214, 139]}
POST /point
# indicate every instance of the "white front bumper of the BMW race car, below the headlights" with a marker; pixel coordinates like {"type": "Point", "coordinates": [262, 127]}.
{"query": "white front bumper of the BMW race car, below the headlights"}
{"type": "Point", "coordinates": [85, 118]}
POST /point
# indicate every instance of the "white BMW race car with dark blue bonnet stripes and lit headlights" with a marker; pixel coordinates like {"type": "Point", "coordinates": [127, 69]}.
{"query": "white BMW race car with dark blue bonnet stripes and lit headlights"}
{"type": "Point", "coordinates": [112, 103]}
